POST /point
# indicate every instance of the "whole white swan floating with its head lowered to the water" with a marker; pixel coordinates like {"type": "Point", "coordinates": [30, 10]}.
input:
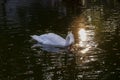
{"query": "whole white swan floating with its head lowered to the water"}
{"type": "Point", "coordinates": [55, 40]}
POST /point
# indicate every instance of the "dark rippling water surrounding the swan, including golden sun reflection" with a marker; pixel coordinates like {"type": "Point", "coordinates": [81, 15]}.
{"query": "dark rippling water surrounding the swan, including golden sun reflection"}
{"type": "Point", "coordinates": [95, 54]}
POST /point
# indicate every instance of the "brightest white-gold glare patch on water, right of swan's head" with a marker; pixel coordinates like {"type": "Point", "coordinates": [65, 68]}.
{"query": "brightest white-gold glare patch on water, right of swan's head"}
{"type": "Point", "coordinates": [85, 39]}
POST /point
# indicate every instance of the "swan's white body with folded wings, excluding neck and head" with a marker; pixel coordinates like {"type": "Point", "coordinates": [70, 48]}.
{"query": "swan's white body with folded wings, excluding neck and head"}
{"type": "Point", "coordinates": [50, 39]}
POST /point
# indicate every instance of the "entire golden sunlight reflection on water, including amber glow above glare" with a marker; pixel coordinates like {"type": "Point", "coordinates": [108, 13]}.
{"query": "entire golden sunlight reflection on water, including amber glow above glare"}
{"type": "Point", "coordinates": [85, 38]}
